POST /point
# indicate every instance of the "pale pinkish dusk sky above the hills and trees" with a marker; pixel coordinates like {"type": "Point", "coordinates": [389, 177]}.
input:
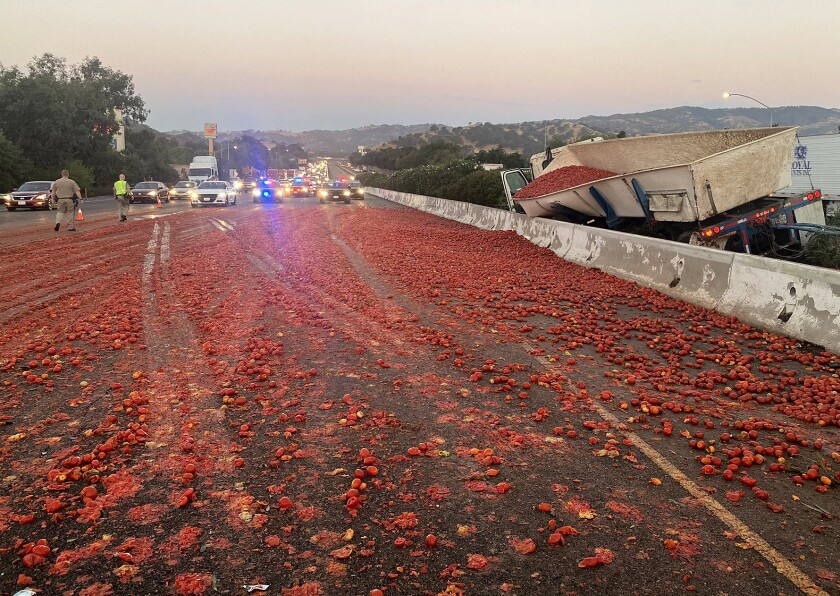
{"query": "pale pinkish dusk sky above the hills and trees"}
{"type": "Point", "coordinates": [335, 64]}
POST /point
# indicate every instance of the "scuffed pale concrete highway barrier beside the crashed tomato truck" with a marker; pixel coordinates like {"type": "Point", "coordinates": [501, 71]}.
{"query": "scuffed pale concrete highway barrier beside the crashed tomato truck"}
{"type": "Point", "coordinates": [786, 298]}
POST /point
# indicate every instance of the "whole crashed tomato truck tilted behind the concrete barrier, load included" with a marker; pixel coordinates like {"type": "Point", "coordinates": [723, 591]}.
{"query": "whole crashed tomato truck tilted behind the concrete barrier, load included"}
{"type": "Point", "coordinates": [716, 188]}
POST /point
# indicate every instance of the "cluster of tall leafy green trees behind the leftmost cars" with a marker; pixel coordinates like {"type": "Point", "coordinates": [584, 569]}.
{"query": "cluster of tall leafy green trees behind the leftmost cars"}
{"type": "Point", "coordinates": [56, 115]}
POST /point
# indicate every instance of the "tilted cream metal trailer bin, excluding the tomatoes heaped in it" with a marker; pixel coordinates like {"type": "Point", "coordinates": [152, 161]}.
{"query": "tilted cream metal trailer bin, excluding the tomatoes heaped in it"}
{"type": "Point", "coordinates": [682, 177]}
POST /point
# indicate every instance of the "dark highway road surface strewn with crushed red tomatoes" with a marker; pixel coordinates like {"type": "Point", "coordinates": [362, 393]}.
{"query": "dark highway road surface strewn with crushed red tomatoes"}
{"type": "Point", "coordinates": [326, 399]}
